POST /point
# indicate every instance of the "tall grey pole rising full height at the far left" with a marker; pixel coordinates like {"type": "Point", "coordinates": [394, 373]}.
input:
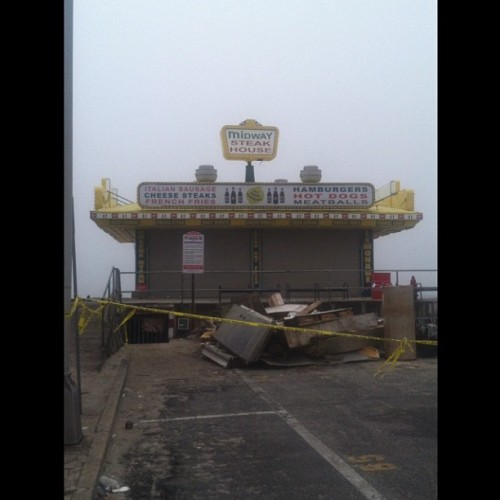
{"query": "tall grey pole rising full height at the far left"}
{"type": "Point", "coordinates": [72, 419]}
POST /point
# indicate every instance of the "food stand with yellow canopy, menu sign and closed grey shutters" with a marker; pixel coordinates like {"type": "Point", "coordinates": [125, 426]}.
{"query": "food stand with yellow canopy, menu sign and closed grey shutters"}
{"type": "Point", "coordinates": [303, 239]}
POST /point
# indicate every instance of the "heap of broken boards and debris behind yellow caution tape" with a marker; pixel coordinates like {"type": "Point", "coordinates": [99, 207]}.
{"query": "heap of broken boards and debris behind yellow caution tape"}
{"type": "Point", "coordinates": [291, 335]}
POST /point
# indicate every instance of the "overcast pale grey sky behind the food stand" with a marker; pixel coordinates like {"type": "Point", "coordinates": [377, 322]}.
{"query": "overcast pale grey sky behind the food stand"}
{"type": "Point", "coordinates": [350, 84]}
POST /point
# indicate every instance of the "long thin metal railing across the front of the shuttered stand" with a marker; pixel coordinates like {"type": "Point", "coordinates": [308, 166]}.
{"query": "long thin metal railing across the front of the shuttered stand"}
{"type": "Point", "coordinates": [317, 283]}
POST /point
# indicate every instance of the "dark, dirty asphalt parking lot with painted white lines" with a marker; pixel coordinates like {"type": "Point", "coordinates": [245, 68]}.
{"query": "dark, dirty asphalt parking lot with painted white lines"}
{"type": "Point", "coordinates": [188, 428]}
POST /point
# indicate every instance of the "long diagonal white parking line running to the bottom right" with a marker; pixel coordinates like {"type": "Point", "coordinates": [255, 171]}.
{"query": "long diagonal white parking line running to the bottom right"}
{"type": "Point", "coordinates": [363, 486]}
